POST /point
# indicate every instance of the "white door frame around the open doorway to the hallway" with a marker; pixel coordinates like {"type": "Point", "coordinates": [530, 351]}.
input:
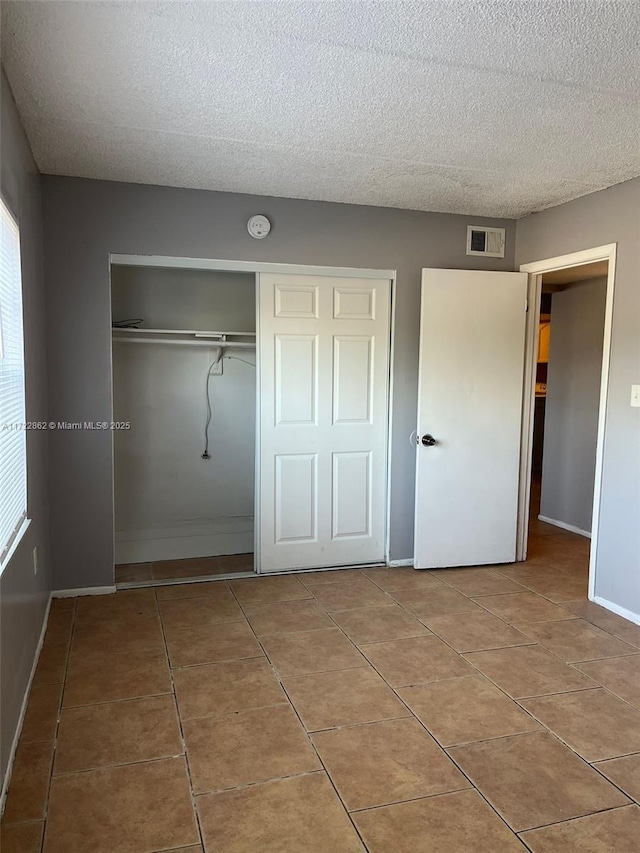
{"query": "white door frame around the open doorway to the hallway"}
{"type": "Point", "coordinates": [536, 270]}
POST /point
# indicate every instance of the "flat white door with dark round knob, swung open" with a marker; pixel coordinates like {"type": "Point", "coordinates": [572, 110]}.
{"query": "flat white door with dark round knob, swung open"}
{"type": "Point", "coordinates": [472, 334]}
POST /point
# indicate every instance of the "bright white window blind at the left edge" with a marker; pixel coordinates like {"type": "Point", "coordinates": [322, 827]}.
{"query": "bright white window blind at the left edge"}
{"type": "Point", "coordinates": [13, 451]}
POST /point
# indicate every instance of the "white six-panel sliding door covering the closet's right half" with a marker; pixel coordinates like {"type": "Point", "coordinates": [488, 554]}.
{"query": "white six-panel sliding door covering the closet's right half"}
{"type": "Point", "coordinates": [323, 380]}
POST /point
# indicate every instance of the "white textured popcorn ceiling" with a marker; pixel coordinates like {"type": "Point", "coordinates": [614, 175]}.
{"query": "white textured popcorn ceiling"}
{"type": "Point", "coordinates": [487, 108]}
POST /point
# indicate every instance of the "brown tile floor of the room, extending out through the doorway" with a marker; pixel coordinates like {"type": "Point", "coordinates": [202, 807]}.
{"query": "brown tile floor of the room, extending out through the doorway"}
{"type": "Point", "coordinates": [483, 710]}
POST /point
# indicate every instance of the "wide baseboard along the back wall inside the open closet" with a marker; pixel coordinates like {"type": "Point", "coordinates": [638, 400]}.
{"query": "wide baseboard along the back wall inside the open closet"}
{"type": "Point", "coordinates": [233, 535]}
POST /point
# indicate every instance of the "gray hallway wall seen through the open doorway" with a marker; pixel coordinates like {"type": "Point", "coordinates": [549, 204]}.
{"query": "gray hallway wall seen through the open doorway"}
{"type": "Point", "coordinates": [573, 397]}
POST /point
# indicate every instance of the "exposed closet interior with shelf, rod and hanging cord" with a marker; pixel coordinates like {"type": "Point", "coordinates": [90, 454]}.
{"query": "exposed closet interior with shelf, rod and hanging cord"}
{"type": "Point", "coordinates": [184, 389]}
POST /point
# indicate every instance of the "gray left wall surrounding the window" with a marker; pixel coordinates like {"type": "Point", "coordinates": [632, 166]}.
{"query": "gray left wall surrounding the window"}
{"type": "Point", "coordinates": [23, 595]}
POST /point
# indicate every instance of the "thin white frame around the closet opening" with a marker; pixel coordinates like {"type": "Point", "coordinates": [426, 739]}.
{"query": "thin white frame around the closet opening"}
{"type": "Point", "coordinates": [257, 267]}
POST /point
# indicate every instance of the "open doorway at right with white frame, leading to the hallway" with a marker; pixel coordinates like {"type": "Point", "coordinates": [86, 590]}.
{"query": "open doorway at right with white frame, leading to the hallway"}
{"type": "Point", "coordinates": [566, 376]}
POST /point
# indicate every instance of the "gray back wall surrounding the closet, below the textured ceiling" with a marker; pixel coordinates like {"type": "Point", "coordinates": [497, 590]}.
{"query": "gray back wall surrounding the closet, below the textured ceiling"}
{"type": "Point", "coordinates": [86, 220]}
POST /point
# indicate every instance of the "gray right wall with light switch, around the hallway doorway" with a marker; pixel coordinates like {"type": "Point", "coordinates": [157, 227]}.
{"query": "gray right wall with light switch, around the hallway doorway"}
{"type": "Point", "coordinates": [610, 216]}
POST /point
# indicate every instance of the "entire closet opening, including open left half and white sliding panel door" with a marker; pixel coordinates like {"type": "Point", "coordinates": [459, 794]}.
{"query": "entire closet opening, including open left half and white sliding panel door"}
{"type": "Point", "coordinates": [224, 472]}
